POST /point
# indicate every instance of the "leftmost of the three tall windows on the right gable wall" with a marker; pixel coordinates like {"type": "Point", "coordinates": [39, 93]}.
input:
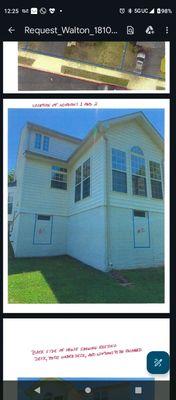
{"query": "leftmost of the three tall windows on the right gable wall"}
{"type": "Point", "coordinates": [119, 175]}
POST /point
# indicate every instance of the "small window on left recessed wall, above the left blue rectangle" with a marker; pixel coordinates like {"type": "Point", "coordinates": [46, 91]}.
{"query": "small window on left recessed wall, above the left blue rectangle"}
{"type": "Point", "coordinates": [59, 177]}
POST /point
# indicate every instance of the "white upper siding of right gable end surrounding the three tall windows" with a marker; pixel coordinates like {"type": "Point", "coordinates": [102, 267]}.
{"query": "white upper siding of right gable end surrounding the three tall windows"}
{"type": "Point", "coordinates": [124, 137]}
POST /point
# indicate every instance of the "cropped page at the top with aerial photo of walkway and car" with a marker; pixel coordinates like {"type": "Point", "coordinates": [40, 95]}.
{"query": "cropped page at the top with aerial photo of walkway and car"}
{"type": "Point", "coordinates": [86, 66]}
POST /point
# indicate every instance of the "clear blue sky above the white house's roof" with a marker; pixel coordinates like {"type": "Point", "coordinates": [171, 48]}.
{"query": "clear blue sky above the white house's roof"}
{"type": "Point", "coordinates": [74, 122]}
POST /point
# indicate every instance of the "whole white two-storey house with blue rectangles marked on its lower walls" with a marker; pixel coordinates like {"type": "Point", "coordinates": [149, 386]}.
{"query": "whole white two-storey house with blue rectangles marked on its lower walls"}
{"type": "Point", "coordinates": [99, 200]}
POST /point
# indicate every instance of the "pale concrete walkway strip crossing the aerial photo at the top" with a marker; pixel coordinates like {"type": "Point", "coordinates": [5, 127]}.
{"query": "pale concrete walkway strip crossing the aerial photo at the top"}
{"type": "Point", "coordinates": [53, 65]}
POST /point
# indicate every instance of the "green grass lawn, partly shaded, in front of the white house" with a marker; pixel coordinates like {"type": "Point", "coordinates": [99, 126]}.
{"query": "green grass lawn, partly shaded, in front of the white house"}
{"type": "Point", "coordinates": [66, 280]}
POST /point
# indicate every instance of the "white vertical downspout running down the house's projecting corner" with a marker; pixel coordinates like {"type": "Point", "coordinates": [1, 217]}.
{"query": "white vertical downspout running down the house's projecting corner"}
{"type": "Point", "coordinates": [107, 210]}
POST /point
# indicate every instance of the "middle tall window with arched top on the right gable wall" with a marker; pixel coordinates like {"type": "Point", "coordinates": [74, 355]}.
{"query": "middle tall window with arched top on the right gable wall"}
{"type": "Point", "coordinates": [139, 186]}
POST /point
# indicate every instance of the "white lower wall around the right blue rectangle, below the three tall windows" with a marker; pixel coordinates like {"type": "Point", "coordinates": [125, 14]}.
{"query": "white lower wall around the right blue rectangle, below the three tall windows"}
{"type": "Point", "coordinates": [123, 253]}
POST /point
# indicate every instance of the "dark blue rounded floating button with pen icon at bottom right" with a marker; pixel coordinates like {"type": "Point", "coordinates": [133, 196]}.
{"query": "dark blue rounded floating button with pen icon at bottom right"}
{"type": "Point", "coordinates": [158, 362]}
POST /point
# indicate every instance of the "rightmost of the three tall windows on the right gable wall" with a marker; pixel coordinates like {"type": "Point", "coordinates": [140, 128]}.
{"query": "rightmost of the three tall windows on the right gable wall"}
{"type": "Point", "coordinates": [155, 179]}
